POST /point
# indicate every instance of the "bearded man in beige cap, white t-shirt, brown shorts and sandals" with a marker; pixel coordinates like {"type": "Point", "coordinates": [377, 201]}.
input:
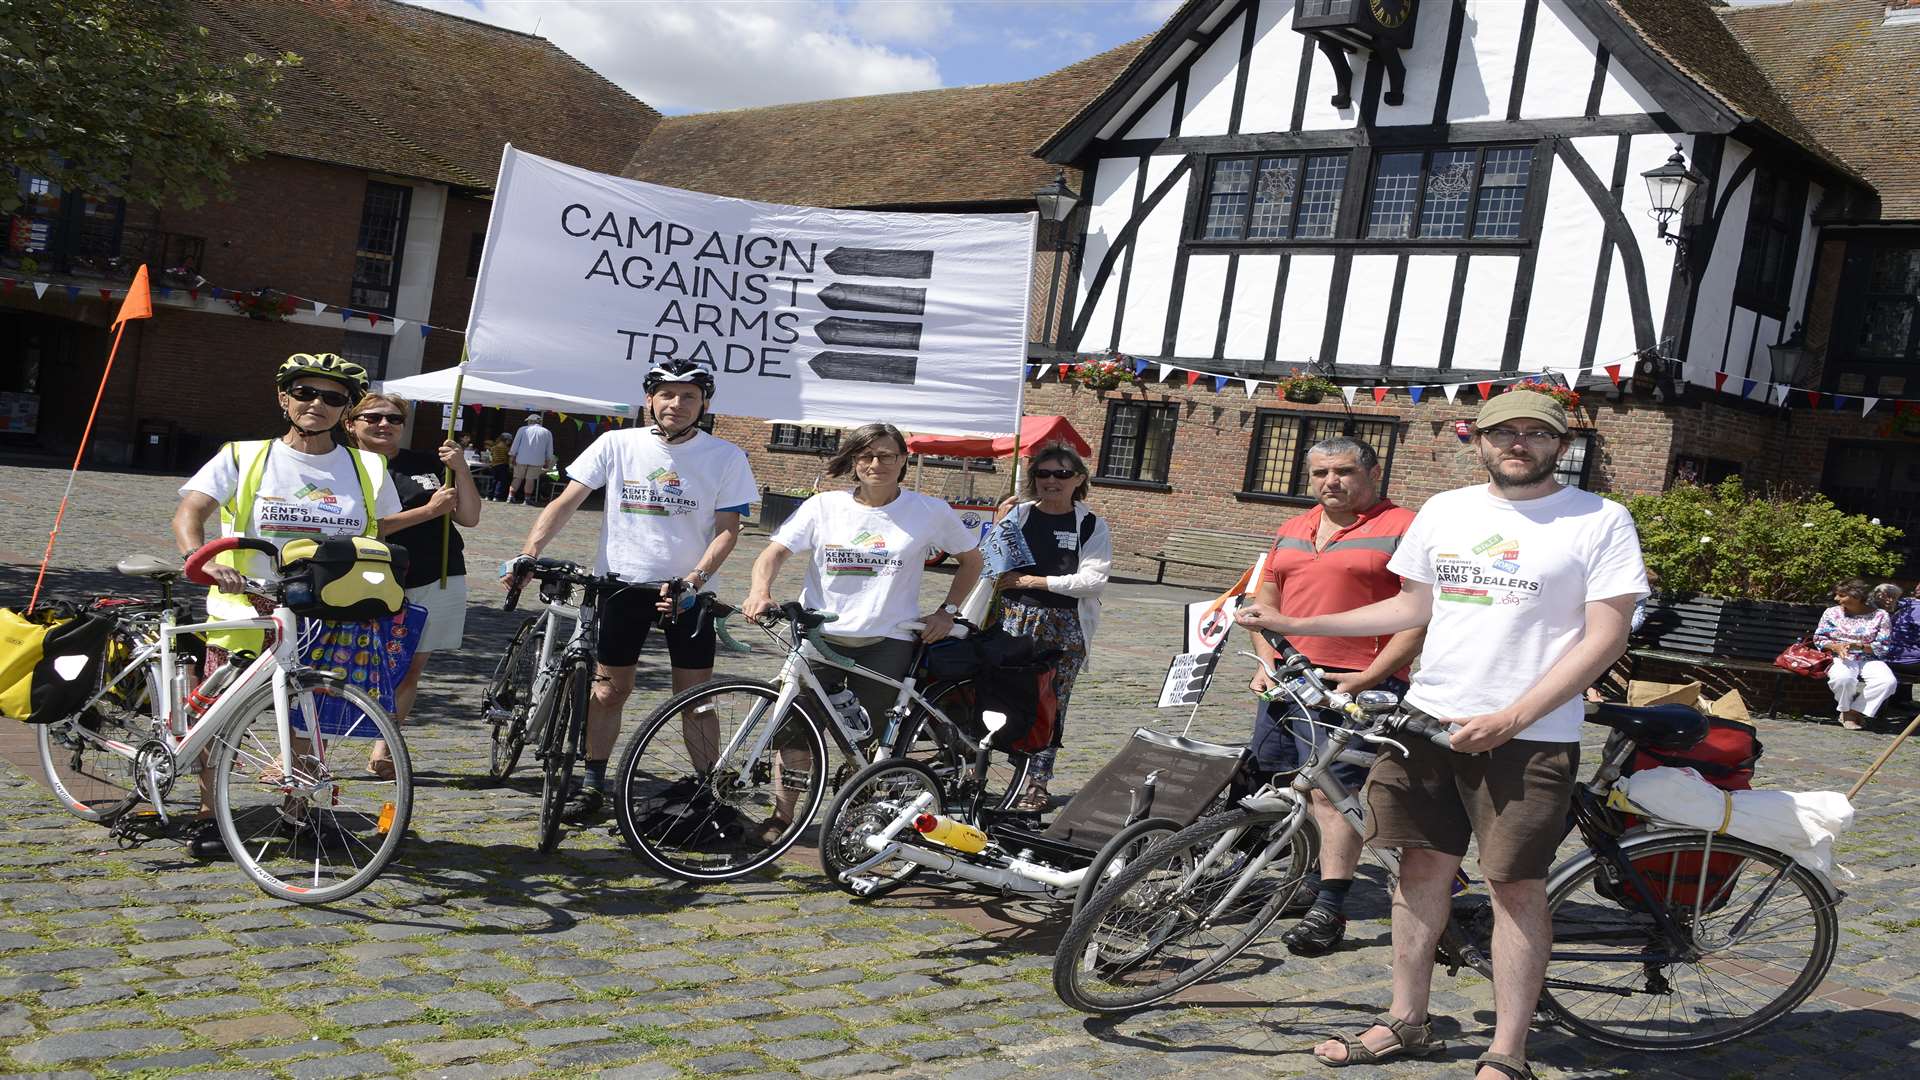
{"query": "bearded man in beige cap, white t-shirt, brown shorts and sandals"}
{"type": "Point", "coordinates": [1525, 589]}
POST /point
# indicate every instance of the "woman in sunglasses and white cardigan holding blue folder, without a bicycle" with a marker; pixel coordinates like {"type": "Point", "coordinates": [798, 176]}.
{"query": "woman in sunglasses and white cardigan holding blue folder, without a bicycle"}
{"type": "Point", "coordinates": [1057, 601]}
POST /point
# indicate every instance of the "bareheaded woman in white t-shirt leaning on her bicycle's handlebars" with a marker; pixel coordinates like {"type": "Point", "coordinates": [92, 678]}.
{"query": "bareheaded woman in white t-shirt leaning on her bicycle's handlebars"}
{"type": "Point", "coordinates": [869, 552]}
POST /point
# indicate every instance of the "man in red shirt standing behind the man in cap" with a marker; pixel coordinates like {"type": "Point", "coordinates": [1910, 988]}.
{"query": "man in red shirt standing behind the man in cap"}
{"type": "Point", "coordinates": [1333, 558]}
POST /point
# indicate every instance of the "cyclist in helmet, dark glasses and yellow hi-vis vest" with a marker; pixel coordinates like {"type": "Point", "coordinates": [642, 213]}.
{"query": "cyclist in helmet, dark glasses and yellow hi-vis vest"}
{"type": "Point", "coordinates": [302, 483]}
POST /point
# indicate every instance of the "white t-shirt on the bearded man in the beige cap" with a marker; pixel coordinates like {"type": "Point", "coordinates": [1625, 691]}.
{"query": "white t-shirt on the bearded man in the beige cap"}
{"type": "Point", "coordinates": [1512, 583]}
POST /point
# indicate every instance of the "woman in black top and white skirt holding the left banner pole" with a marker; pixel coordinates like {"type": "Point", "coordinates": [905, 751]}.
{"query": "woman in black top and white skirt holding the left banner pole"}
{"type": "Point", "coordinates": [377, 424]}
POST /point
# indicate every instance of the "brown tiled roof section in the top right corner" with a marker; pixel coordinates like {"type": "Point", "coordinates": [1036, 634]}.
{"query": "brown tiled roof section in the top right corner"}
{"type": "Point", "coordinates": [1854, 82]}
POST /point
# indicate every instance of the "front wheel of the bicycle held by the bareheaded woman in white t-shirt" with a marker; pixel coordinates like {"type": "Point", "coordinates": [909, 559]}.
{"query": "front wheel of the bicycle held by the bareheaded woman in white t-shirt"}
{"type": "Point", "coordinates": [711, 823]}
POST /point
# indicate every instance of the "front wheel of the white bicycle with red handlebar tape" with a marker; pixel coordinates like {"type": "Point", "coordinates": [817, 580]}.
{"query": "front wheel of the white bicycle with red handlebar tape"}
{"type": "Point", "coordinates": [325, 829]}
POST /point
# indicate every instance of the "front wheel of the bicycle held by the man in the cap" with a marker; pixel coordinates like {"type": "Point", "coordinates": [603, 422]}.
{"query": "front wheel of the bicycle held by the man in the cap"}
{"type": "Point", "coordinates": [1147, 891]}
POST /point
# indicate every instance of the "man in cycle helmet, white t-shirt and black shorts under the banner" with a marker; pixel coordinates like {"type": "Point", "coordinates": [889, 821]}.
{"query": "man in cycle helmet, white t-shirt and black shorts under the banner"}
{"type": "Point", "coordinates": [675, 499]}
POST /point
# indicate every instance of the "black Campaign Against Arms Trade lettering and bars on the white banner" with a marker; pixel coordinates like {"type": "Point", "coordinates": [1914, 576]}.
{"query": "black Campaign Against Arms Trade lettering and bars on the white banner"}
{"type": "Point", "coordinates": [732, 297]}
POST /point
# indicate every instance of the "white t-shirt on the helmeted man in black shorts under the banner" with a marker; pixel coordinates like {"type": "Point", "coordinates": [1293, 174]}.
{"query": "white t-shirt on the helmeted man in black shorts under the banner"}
{"type": "Point", "coordinates": [661, 499]}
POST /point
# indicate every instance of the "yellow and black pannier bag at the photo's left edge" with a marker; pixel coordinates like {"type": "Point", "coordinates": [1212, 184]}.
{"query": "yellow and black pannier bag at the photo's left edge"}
{"type": "Point", "coordinates": [49, 662]}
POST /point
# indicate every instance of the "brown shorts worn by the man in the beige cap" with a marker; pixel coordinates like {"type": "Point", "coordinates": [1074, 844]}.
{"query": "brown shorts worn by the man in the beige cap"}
{"type": "Point", "coordinates": [1514, 800]}
